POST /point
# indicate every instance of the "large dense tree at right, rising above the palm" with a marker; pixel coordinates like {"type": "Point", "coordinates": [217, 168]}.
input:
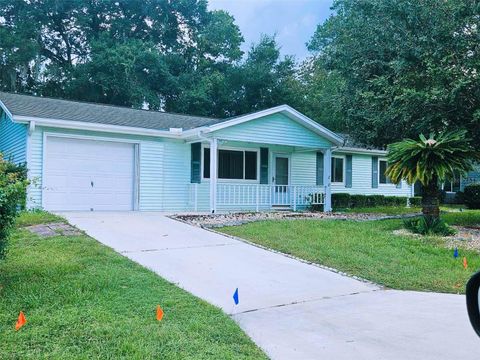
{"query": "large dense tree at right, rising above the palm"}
{"type": "Point", "coordinates": [408, 66]}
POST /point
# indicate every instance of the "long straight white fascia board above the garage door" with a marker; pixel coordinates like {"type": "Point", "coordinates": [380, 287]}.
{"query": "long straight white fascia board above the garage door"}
{"type": "Point", "coordinates": [79, 125]}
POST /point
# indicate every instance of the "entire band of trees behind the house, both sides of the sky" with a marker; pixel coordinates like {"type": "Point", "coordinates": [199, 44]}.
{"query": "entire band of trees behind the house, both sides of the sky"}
{"type": "Point", "coordinates": [381, 70]}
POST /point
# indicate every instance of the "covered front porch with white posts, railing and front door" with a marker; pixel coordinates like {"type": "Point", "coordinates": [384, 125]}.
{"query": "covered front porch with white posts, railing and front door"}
{"type": "Point", "coordinates": [229, 176]}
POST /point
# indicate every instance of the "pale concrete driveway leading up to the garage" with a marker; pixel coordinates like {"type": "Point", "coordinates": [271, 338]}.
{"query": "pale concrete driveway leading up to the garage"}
{"type": "Point", "coordinates": [291, 309]}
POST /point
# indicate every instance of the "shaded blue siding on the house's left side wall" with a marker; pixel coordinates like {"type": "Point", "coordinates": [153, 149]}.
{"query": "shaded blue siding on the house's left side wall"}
{"type": "Point", "coordinates": [13, 140]}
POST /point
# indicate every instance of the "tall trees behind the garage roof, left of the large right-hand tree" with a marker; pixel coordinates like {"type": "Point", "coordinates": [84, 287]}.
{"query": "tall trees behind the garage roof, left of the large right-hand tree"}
{"type": "Point", "coordinates": [170, 55]}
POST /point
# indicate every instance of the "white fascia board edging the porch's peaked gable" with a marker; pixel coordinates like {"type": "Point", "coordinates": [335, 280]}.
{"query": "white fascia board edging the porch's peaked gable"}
{"type": "Point", "coordinates": [291, 113]}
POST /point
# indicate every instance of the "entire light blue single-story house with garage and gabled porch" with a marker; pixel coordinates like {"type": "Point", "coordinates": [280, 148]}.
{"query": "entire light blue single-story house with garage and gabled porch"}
{"type": "Point", "coordinates": [84, 156]}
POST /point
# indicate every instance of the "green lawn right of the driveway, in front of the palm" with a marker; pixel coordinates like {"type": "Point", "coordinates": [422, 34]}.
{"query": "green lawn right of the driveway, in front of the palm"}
{"type": "Point", "coordinates": [370, 250]}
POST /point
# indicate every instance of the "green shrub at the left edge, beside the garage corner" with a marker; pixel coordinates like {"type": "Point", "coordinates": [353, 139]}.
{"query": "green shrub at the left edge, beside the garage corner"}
{"type": "Point", "coordinates": [13, 187]}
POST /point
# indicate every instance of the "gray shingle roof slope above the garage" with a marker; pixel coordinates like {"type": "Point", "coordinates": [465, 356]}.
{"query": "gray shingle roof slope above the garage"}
{"type": "Point", "coordinates": [41, 107]}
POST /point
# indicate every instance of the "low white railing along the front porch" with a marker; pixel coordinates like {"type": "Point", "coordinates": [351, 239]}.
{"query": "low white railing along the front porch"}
{"type": "Point", "coordinates": [257, 196]}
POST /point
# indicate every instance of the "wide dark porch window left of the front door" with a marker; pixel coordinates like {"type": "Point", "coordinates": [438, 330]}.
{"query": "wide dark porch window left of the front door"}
{"type": "Point", "coordinates": [233, 164]}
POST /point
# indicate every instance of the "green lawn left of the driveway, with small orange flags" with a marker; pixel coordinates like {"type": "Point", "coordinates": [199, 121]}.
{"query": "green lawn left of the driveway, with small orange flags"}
{"type": "Point", "coordinates": [84, 301]}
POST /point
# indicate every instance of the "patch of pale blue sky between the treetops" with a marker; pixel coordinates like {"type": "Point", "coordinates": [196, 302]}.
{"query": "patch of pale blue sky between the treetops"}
{"type": "Point", "coordinates": [294, 21]}
